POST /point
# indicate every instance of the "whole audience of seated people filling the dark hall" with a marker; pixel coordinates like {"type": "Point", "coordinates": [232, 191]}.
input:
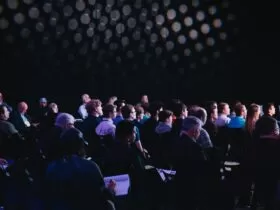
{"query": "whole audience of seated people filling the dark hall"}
{"type": "Point", "coordinates": [221, 157]}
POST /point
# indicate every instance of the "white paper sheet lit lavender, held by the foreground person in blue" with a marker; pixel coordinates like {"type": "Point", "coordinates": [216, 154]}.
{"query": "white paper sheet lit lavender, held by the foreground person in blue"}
{"type": "Point", "coordinates": [122, 183]}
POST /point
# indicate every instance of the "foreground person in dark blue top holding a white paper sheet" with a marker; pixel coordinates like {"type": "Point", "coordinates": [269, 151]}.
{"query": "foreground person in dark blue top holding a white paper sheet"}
{"type": "Point", "coordinates": [72, 181]}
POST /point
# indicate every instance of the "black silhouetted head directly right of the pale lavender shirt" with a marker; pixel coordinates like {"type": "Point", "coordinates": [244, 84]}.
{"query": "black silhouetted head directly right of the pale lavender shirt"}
{"type": "Point", "coordinates": [125, 131]}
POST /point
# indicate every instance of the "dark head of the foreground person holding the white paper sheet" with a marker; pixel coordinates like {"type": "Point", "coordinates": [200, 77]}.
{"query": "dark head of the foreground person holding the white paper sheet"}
{"type": "Point", "coordinates": [72, 142]}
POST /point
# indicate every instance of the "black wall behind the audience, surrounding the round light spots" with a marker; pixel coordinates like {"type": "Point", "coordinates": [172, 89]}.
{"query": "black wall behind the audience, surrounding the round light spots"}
{"type": "Point", "coordinates": [242, 66]}
